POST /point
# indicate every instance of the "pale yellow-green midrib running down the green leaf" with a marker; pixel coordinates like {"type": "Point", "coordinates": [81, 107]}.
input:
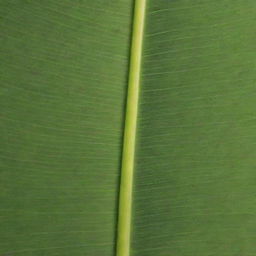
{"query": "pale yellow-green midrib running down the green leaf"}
{"type": "Point", "coordinates": [127, 167]}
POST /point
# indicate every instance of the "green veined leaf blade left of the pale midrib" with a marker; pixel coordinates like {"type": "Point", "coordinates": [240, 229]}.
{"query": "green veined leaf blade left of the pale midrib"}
{"type": "Point", "coordinates": [63, 85]}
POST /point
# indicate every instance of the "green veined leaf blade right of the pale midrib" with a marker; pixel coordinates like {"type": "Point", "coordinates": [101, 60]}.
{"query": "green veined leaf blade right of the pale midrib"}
{"type": "Point", "coordinates": [195, 174]}
